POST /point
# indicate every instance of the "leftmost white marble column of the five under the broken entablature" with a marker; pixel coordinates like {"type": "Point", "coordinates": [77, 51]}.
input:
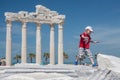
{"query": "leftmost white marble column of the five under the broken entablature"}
{"type": "Point", "coordinates": [8, 43]}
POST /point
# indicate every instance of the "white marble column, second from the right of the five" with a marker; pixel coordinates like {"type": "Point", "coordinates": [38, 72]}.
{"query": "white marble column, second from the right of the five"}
{"type": "Point", "coordinates": [52, 50]}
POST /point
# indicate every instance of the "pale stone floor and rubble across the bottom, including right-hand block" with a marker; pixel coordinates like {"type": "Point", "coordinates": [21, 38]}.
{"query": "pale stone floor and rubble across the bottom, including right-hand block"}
{"type": "Point", "coordinates": [62, 72]}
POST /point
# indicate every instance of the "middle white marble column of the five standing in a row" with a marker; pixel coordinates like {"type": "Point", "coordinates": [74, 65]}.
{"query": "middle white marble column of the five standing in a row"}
{"type": "Point", "coordinates": [38, 44]}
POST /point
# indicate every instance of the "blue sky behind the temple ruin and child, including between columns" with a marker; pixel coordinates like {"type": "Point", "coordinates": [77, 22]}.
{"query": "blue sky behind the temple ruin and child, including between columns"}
{"type": "Point", "coordinates": [102, 15]}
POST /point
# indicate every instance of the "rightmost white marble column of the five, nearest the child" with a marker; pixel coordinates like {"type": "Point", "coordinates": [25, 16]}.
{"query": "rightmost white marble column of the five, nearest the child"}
{"type": "Point", "coordinates": [60, 44]}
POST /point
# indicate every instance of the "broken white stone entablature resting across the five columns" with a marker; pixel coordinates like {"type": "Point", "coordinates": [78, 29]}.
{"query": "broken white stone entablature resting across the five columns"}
{"type": "Point", "coordinates": [42, 15]}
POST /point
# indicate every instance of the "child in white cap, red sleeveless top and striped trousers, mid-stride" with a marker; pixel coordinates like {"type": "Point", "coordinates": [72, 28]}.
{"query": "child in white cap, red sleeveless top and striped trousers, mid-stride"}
{"type": "Point", "coordinates": [84, 45]}
